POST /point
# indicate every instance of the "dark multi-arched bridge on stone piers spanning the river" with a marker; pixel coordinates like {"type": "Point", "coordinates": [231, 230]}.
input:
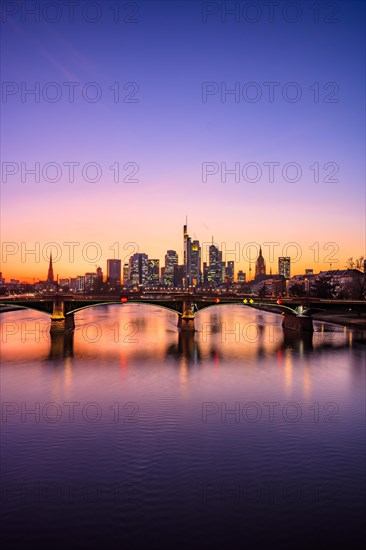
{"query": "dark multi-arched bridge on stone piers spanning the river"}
{"type": "Point", "coordinates": [296, 312]}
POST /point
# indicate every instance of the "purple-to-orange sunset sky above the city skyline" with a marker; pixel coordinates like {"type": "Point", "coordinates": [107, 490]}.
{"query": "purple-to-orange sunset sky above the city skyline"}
{"type": "Point", "coordinates": [251, 123]}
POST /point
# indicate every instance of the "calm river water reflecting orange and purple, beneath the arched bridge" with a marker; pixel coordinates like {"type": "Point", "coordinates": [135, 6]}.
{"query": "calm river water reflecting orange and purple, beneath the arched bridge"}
{"type": "Point", "coordinates": [128, 431]}
